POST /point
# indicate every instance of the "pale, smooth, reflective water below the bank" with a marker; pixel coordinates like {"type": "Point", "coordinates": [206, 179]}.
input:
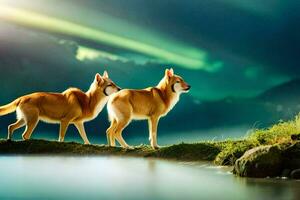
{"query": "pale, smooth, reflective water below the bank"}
{"type": "Point", "coordinates": [30, 177]}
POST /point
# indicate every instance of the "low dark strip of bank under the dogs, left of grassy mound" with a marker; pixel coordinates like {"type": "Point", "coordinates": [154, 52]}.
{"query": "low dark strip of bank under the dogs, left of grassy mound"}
{"type": "Point", "coordinates": [188, 152]}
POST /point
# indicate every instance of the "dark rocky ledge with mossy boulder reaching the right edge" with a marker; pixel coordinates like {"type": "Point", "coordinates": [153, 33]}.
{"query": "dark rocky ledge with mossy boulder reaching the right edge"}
{"type": "Point", "coordinates": [280, 160]}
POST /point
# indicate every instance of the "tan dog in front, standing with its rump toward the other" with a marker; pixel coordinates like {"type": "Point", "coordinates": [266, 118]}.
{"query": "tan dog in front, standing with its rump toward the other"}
{"type": "Point", "coordinates": [150, 103]}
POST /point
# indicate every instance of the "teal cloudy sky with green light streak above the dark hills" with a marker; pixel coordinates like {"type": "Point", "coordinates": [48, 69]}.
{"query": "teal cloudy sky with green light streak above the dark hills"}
{"type": "Point", "coordinates": [222, 48]}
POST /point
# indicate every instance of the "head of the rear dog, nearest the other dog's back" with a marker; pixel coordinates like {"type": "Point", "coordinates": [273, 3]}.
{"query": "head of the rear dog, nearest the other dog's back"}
{"type": "Point", "coordinates": [105, 84]}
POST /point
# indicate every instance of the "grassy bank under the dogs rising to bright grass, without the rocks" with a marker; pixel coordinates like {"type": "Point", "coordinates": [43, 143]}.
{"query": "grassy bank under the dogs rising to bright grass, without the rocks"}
{"type": "Point", "coordinates": [222, 152]}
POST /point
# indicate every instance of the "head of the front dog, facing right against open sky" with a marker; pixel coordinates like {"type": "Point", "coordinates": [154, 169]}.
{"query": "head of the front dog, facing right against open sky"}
{"type": "Point", "coordinates": [175, 82]}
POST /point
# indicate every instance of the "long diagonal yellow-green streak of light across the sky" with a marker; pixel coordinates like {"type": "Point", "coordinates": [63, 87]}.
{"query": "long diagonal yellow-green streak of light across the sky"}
{"type": "Point", "coordinates": [187, 57]}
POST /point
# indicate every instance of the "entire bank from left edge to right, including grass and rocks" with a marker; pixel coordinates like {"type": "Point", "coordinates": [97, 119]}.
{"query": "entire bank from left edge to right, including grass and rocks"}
{"type": "Point", "coordinates": [272, 152]}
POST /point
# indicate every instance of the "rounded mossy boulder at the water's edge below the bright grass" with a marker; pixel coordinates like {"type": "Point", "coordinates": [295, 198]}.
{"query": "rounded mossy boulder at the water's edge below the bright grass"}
{"type": "Point", "coordinates": [260, 162]}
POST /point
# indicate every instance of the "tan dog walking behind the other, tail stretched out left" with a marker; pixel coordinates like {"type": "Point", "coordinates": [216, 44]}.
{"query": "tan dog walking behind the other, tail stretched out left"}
{"type": "Point", "coordinates": [70, 107]}
